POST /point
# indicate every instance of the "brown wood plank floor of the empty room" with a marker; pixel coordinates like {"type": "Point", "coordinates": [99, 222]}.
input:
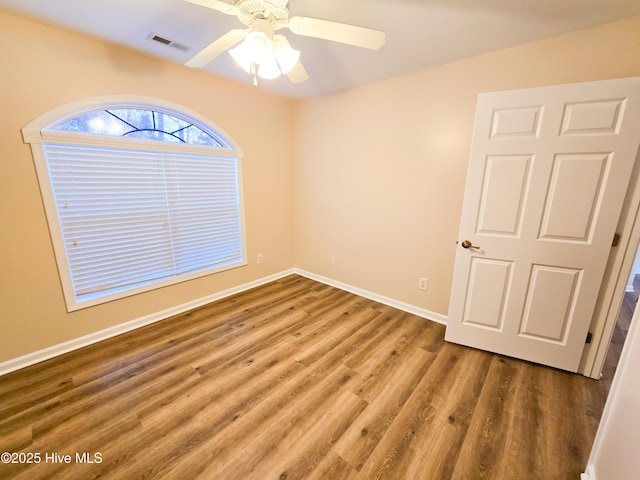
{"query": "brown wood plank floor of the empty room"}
{"type": "Point", "coordinates": [295, 379]}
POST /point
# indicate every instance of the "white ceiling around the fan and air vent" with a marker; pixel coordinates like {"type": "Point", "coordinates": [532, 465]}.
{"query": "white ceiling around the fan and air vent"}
{"type": "Point", "coordinates": [420, 34]}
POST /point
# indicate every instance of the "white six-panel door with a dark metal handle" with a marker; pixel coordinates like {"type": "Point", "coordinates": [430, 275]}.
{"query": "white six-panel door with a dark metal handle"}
{"type": "Point", "coordinates": [547, 177]}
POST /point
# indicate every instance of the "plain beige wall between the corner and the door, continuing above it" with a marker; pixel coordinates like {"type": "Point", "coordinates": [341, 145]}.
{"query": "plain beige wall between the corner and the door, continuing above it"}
{"type": "Point", "coordinates": [380, 170]}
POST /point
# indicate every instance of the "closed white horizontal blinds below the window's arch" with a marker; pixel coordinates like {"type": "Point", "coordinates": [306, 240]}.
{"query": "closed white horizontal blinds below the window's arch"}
{"type": "Point", "coordinates": [131, 217]}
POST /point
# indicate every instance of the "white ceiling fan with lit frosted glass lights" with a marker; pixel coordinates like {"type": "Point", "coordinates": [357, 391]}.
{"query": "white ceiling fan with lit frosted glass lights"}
{"type": "Point", "coordinates": [267, 55]}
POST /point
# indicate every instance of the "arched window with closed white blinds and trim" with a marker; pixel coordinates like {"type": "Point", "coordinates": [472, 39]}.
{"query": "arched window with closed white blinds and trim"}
{"type": "Point", "coordinates": [139, 194]}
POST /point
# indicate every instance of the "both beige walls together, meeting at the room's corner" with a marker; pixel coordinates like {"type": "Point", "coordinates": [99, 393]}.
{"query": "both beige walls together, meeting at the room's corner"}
{"type": "Point", "coordinates": [378, 171]}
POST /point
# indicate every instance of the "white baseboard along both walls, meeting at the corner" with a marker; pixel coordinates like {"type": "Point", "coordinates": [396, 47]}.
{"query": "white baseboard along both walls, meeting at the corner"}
{"type": "Point", "coordinates": [55, 350]}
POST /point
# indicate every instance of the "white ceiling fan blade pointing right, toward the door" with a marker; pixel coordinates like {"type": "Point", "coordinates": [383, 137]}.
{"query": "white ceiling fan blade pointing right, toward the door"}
{"type": "Point", "coordinates": [337, 32]}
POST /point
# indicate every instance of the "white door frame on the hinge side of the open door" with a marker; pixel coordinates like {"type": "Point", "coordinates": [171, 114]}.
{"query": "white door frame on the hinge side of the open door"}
{"type": "Point", "coordinates": [615, 280]}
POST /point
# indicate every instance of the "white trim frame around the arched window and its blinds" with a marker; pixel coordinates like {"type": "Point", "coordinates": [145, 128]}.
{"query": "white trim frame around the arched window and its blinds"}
{"type": "Point", "coordinates": [36, 134]}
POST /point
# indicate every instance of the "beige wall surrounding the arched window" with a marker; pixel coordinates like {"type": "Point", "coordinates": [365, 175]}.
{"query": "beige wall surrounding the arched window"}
{"type": "Point", "coordinates": [43, 68]}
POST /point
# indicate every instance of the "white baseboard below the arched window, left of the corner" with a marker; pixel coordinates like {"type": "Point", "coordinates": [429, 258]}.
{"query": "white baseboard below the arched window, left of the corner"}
{"type": "Point", "coordinates": [76, 343]}
